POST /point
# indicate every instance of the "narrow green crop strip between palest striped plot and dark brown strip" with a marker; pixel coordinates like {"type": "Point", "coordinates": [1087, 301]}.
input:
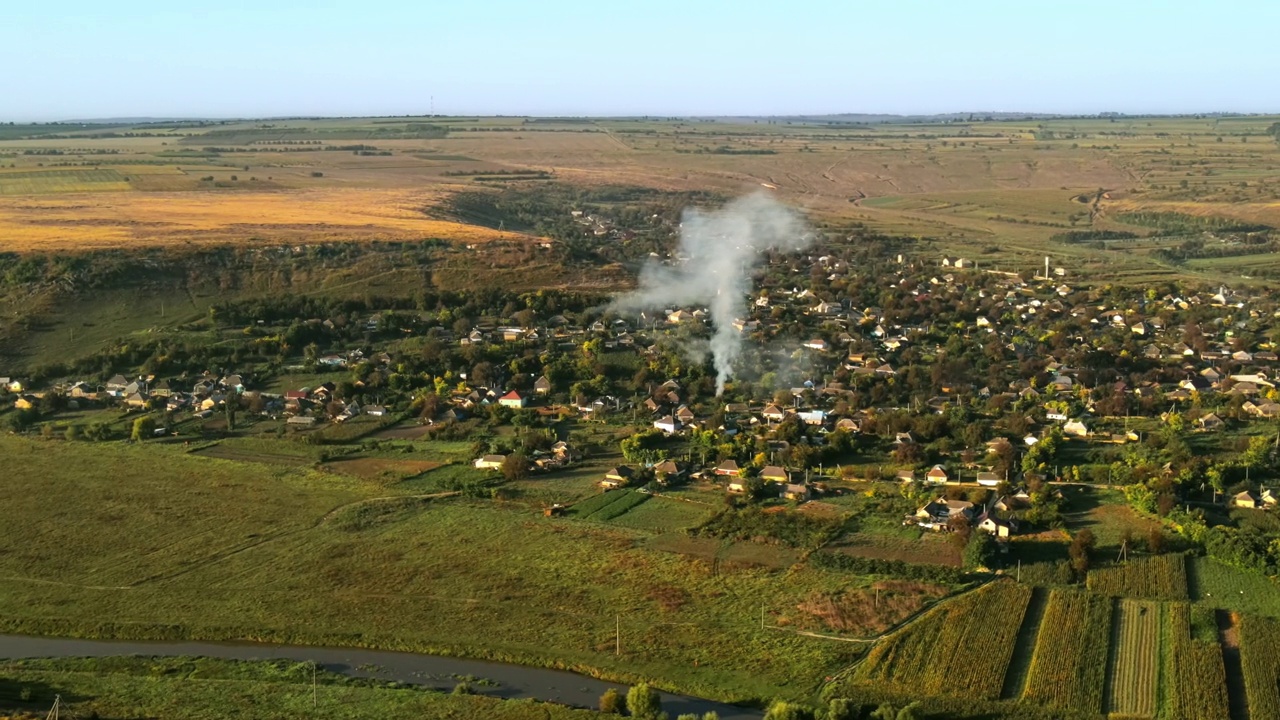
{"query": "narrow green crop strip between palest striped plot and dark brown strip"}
{"type": "Point", "coordinates": [1195, 671]}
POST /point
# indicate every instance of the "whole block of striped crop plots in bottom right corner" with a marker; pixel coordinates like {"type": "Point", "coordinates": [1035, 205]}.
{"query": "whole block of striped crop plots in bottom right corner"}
{"type": "Point", "coordinates": [1110, 651]}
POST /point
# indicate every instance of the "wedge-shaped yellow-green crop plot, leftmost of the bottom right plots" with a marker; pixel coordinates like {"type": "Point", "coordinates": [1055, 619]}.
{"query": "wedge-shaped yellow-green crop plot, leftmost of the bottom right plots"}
{"type": "Point", "coordinates": [959, 648]}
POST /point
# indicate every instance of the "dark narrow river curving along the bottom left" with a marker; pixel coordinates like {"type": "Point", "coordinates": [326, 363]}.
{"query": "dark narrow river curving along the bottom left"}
{"type": "Point", "coordinates": [504, 681]}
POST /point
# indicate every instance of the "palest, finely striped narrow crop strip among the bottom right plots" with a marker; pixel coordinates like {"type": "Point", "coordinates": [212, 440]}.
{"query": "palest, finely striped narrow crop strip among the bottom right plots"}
{"type": "Point", "coordinates": [1135, 680]}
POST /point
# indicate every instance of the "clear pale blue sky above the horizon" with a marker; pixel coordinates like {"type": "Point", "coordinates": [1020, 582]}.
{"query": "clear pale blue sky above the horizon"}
{"type": "Point", "coordinates": [79, 60]}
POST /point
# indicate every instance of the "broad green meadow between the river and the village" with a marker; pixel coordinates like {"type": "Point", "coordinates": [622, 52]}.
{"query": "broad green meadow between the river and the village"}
{"type": "Point", "coordinates": [207, 549]}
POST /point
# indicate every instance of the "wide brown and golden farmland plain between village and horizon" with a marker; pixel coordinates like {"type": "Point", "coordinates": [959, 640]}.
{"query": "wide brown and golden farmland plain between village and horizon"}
{"type": "Point", "coordinates": [1003, 193]}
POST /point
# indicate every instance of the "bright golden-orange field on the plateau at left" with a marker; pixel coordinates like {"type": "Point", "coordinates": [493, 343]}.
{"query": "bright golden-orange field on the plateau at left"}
{"type": "Point", "coordinates": [134, 220]}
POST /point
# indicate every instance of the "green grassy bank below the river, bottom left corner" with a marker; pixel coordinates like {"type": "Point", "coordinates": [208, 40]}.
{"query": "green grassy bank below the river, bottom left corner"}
{"type": "Point", "coordinates": [209, 690]}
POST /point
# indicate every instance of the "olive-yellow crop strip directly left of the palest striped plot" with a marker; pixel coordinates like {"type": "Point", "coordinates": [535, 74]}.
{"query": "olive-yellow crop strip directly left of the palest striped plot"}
{"type": "Point", "coordinates": [1069, 667]}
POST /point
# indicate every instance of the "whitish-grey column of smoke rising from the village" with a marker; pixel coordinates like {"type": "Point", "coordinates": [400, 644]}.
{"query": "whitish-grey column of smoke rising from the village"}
{"type": "Point", "coordinates": [721, 249]}
